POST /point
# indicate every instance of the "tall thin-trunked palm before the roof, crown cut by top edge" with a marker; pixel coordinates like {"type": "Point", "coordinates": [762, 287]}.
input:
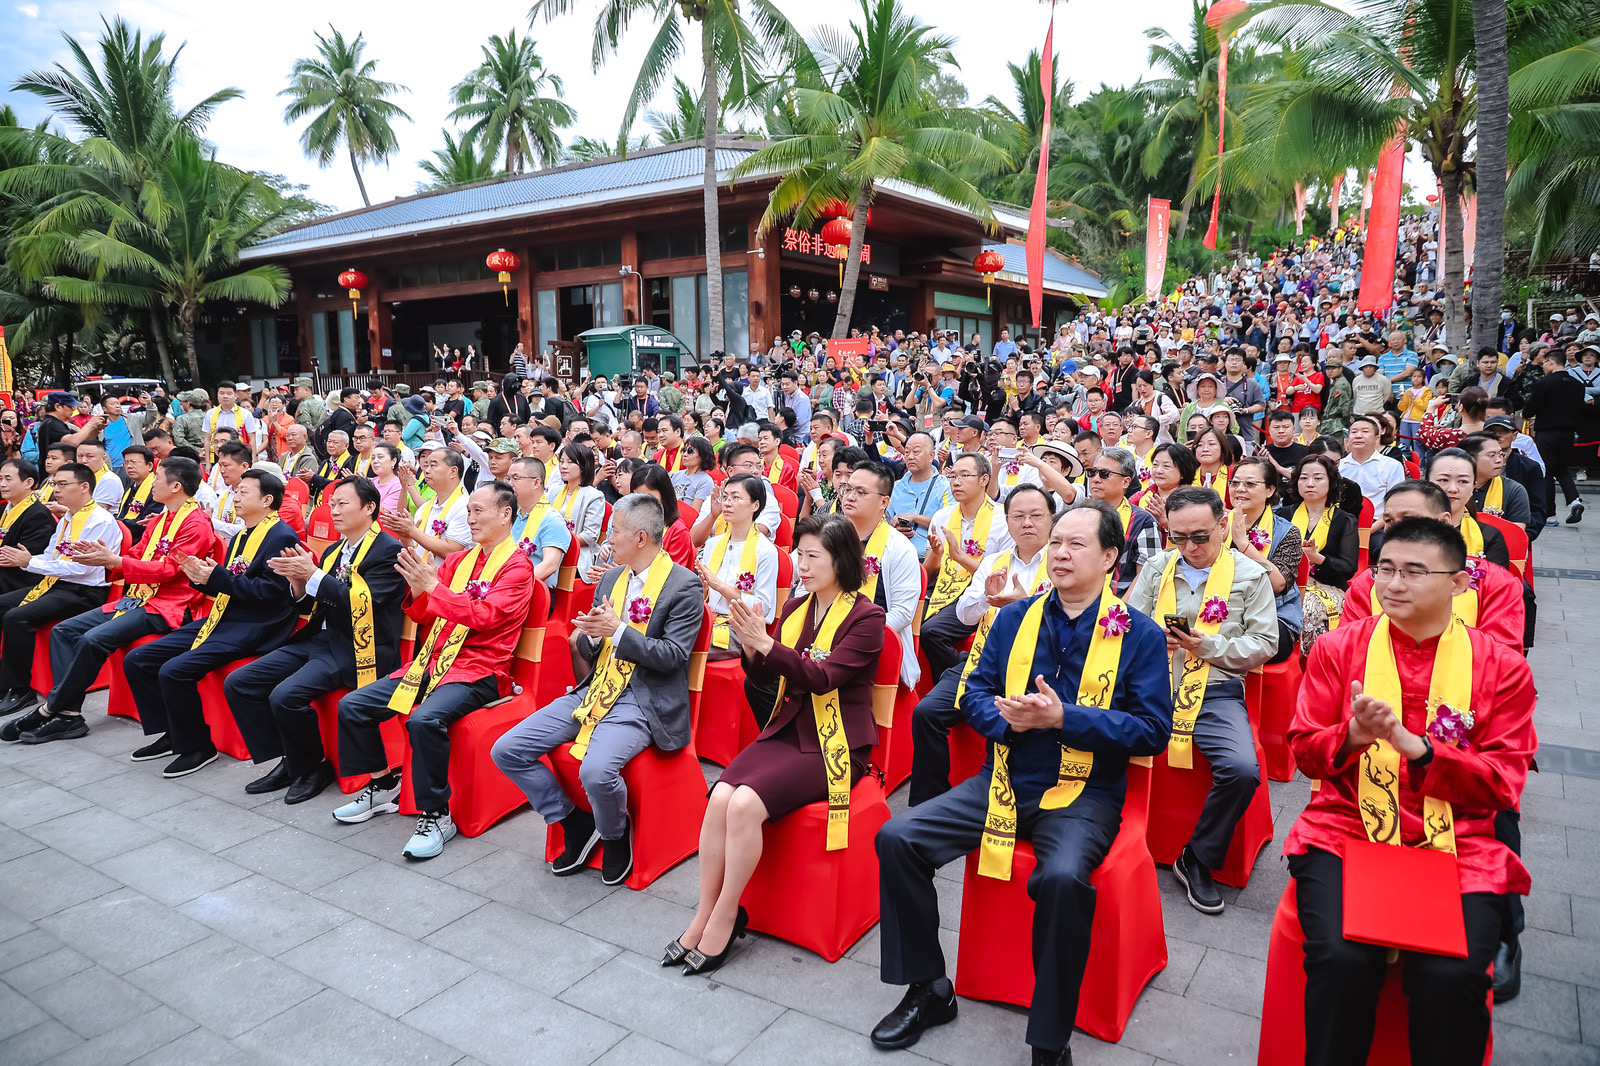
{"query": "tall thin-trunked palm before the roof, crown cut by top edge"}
{"type": "Point", "coordinates": [732, 52]}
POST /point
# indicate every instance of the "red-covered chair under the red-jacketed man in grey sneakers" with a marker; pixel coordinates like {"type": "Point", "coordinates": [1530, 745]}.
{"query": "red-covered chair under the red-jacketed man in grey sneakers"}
{"type": "Point", "coordinates": [479, 793]}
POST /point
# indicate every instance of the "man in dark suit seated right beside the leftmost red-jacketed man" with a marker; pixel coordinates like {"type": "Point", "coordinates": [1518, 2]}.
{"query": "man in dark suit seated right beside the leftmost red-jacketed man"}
{"type": "Point", "coordinates": [254, 611]}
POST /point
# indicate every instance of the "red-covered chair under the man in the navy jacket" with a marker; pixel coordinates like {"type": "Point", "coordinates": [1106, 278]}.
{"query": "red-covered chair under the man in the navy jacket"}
{"type": "Point", "coordinates": [1127, 940]}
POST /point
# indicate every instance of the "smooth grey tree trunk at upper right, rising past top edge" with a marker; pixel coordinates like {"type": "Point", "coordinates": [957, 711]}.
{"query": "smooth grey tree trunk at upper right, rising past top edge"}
{"type": "Point", "coordinates": [1489, 31]}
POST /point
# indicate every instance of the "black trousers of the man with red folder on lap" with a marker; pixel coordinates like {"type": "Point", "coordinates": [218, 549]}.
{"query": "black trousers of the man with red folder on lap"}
{"type": "Point", "coordinates": [1446, 998]}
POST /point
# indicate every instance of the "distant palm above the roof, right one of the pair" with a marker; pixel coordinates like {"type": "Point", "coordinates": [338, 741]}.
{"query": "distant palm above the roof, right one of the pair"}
{"type": "Point", "coordinates": [505, 102]}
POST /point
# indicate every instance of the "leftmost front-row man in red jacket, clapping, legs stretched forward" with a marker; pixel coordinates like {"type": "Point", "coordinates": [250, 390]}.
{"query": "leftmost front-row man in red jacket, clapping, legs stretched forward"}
{"type": "Point", "coordinates": [158, 599]}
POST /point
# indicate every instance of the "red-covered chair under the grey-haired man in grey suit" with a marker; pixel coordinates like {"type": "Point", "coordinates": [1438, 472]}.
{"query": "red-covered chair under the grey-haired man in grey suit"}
{"type": "Point", "coordinates": [666, 799]}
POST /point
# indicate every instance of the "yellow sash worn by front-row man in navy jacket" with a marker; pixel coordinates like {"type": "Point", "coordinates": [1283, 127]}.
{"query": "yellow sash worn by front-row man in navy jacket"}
{"type": "Point", "coordinates": [1097, 686]}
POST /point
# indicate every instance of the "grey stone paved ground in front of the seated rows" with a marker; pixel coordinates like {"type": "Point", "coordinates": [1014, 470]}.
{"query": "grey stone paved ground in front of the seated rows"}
{"type": "Point", "coordinates": [186, 923]}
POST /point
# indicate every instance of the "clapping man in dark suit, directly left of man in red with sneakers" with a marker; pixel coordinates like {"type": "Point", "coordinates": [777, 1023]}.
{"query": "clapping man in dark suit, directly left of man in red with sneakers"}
{"type": "Point", "coordinates": [271, 699]}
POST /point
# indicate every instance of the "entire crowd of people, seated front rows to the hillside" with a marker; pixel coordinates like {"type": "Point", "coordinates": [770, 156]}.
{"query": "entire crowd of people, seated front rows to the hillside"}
{"type": "Point", "coordinates": [1092, 543]}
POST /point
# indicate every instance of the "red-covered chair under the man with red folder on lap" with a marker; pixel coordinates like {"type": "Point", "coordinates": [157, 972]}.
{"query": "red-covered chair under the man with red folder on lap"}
{"type": "Point", "coordinates": [1284, 1009]}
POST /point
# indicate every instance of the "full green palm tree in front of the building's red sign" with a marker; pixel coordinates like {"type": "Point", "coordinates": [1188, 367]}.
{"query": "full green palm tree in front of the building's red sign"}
{"type": "Point", "coordinates": [870, 118]}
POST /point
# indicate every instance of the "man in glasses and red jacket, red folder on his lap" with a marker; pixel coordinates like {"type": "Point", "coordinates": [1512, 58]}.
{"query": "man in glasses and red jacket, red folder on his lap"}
{"type": "Point", "coordinates": [1420, 731]}
